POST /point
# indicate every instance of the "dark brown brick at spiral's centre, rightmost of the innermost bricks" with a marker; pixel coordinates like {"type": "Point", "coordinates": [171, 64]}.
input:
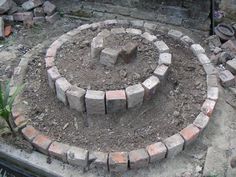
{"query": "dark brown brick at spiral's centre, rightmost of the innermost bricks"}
{"type": "Point", "coordinates": [129, 52]}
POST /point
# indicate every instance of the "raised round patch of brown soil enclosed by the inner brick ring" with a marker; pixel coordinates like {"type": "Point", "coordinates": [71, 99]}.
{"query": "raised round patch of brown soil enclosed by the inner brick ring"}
{"type": "Point", "coordinates": [75, 64]}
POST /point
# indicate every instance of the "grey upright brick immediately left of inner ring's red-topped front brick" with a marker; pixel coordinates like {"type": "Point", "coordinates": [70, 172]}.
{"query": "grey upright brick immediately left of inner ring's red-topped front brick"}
{"type": "Point", "coordinates": [95, 102]}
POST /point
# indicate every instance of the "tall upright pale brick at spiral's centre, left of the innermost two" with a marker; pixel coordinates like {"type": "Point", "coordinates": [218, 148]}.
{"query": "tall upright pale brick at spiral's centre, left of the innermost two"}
{"type": "Point", "coordinates": [97, 45]}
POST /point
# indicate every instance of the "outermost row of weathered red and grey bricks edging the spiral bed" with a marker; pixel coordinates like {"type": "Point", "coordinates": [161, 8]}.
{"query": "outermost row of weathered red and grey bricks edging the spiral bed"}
{"type": "Point", "coordinates": [122, 161]}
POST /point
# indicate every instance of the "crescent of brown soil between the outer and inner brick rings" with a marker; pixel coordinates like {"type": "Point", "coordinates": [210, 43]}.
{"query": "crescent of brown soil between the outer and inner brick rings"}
{"type": "Point", "coordinates": [175, 106]}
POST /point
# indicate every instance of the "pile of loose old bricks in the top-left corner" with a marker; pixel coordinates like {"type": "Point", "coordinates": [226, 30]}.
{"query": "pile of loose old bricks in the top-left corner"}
{"type": "Point", "coordinates": [27, 11]}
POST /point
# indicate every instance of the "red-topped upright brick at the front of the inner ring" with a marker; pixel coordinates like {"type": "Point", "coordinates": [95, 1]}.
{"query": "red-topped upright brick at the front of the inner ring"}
{"type": "Point", "coordinates": [115, 101]}
